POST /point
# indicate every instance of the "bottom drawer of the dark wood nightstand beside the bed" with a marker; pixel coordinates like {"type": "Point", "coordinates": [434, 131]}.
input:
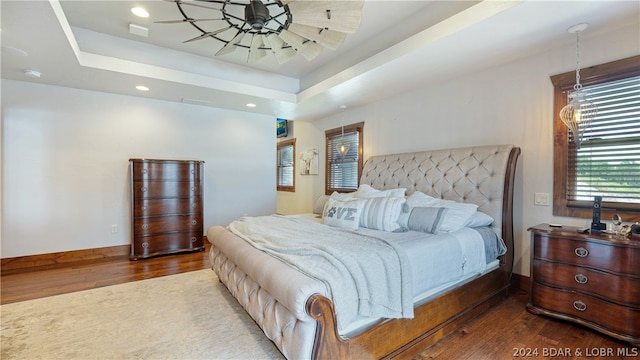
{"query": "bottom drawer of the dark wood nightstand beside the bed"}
{"type": "Point", "coordinates": [596, 312]}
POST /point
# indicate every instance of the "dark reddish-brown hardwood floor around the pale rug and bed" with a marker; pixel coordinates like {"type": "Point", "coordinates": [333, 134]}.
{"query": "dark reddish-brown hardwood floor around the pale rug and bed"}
{"type": "Point", "coordinates": [507, 331]}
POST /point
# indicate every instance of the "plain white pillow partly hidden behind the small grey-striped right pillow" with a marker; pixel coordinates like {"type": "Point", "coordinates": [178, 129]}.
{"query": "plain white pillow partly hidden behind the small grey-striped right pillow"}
{"type": "Point", "coordinates": [456, 217]}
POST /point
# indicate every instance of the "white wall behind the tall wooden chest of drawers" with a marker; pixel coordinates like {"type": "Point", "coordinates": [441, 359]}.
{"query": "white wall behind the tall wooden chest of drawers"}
{"type": "Point", "coordinates": [66, 154]}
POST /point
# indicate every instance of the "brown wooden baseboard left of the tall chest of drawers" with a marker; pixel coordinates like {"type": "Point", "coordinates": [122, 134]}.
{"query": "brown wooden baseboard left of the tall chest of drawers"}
{"type": "Point", "coordinates": [60, 259]}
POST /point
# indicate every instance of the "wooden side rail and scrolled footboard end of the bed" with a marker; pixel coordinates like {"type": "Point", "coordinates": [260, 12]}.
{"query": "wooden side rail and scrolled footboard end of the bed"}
{"type": "Point", "coordinates": [405, 338]}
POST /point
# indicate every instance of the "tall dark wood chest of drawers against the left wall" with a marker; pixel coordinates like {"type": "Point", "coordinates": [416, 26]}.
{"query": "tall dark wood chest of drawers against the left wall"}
{"type": "Point", "coordinates": [166, 207]}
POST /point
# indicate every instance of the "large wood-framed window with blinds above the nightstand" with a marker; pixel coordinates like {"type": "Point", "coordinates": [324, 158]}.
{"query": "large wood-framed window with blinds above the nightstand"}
{"type": "Point", "coordinates": [607, 163]}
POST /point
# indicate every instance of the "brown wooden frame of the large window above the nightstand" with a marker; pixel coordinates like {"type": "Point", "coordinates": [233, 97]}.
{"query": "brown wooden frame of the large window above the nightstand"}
{"type": "Point", "coordinates": [562, 84]}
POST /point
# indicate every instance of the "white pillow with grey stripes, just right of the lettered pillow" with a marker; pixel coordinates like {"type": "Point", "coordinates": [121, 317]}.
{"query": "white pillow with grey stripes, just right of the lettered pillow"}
{"type": "Point", "coordinates": [381, 213]}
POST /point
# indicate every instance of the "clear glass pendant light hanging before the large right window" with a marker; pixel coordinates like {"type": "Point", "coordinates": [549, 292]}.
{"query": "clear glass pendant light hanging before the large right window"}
{"type": "Point", "coordinates": [579, 112]}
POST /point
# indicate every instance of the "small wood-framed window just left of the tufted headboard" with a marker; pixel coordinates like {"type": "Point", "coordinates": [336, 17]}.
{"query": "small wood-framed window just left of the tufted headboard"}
{"type": "Point", "coordinates": [343, 174]}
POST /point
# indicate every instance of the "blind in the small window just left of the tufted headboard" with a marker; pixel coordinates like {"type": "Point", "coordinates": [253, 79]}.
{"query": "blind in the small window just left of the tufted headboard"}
{"type": "Point", "coordinates": [342, 173]}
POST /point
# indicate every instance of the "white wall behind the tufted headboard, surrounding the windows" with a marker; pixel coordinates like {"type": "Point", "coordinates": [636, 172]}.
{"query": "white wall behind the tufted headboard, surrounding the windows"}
{"type": "Point", "coordinates": [512, 103]}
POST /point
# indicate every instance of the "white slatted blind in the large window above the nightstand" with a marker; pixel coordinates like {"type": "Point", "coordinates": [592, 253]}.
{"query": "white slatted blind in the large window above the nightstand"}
{"type": "Point", "coordinates": [607, 163]}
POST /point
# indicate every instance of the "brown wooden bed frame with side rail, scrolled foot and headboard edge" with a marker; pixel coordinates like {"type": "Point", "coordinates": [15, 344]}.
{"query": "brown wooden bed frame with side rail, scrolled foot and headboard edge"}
{"type": "Point", "coordinates": [434, 319]}
